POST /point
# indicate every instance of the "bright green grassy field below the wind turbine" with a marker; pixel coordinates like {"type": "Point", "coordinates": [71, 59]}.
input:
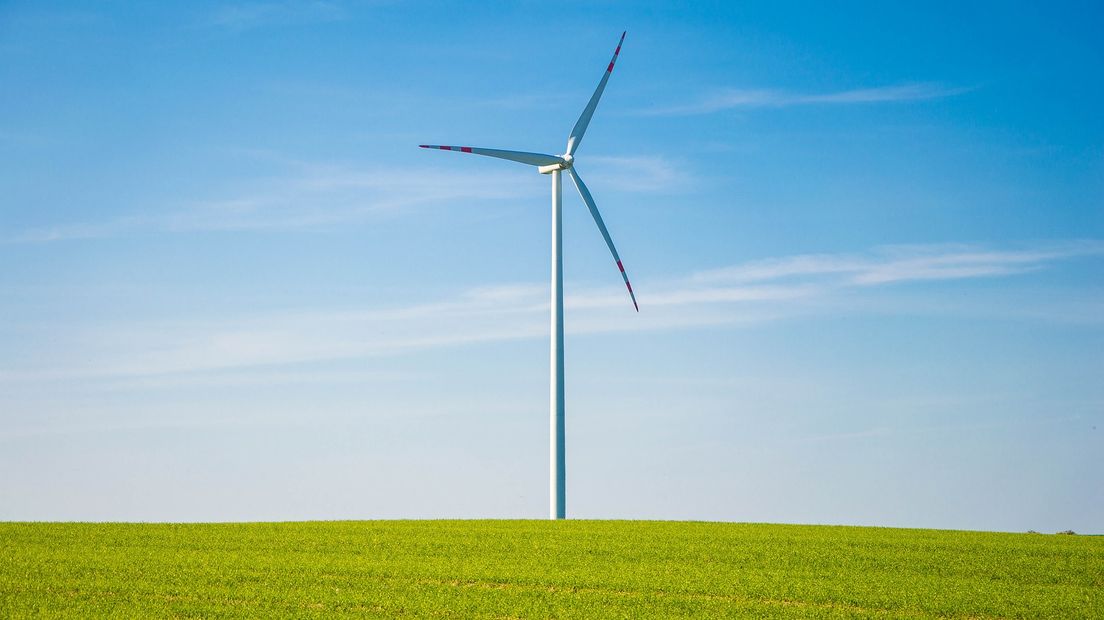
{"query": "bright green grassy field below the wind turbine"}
{"type": "Point", "coordinates": [543, 570]}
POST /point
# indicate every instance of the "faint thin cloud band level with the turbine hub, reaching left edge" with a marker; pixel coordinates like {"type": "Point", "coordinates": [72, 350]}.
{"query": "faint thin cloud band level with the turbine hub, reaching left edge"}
{"type": "Point", "coordinates": [313, 197]}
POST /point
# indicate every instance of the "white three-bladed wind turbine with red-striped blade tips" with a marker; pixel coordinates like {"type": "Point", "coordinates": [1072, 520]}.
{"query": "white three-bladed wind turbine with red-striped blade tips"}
{"type": "Point", "coordinates": [556, 165]}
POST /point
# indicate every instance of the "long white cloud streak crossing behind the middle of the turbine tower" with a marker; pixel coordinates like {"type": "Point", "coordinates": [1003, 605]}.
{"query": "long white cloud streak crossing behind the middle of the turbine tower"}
{"type": "Point", "coordinates": [744, 295]}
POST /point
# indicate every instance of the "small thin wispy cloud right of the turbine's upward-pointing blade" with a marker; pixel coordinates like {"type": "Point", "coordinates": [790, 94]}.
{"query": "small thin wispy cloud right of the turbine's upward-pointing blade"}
{"type": "Point", "coordinates": [733, 99]}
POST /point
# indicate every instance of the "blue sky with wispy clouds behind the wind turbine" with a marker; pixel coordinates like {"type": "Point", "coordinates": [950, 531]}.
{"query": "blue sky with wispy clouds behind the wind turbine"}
{"type": "Point", "coordinates": [867, 242]}
